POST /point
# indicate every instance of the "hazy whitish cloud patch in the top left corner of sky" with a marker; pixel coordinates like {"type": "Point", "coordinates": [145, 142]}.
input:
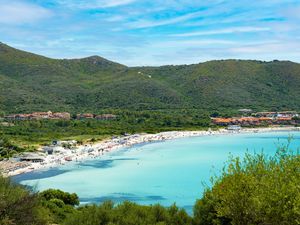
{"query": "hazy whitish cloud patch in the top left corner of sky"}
{"type": "Point", "coordinates": [17, 12]}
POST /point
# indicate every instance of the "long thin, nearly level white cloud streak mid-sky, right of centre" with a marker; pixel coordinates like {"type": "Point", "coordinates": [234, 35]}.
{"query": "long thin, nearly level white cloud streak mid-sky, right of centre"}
{"type": "Point", "coordinates": [224, 31]}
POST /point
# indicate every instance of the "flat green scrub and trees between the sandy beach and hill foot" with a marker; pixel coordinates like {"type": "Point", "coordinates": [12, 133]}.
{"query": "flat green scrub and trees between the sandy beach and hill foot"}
{"type": "Point", "coordinates": [33, 132]}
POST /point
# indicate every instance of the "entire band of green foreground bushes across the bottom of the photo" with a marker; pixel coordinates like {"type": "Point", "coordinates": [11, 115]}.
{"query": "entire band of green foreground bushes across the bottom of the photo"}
{"type": "Point", "coordinates": [255, 190]}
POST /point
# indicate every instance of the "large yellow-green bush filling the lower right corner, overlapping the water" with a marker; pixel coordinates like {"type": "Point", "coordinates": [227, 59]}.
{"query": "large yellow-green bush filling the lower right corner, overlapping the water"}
{"type": "Point", "coordinates": [255, 190]}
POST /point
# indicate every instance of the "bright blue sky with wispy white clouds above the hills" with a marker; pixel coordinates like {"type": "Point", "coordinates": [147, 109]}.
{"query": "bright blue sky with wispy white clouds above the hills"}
{"type": "Point", "coordinates": [154, 32]}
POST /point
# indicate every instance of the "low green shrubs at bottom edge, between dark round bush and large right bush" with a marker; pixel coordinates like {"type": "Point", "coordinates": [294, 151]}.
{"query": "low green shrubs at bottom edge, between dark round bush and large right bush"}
{"type": "Point", "coordinates": [130, 214]}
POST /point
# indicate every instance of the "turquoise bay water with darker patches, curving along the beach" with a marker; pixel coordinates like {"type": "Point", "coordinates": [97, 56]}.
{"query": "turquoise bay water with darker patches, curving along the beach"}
{"type": "Point", "coordinates": [161, 172]}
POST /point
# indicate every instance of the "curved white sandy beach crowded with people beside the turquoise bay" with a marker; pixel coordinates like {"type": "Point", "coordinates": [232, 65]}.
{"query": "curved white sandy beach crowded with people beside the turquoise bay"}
{"type": "Point", "coordinates": [85, 152]}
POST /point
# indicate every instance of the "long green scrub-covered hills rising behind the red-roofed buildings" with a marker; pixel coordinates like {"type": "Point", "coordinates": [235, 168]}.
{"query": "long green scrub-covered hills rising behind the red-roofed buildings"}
{"type": "Point", "coordinates": [30, 82]}
